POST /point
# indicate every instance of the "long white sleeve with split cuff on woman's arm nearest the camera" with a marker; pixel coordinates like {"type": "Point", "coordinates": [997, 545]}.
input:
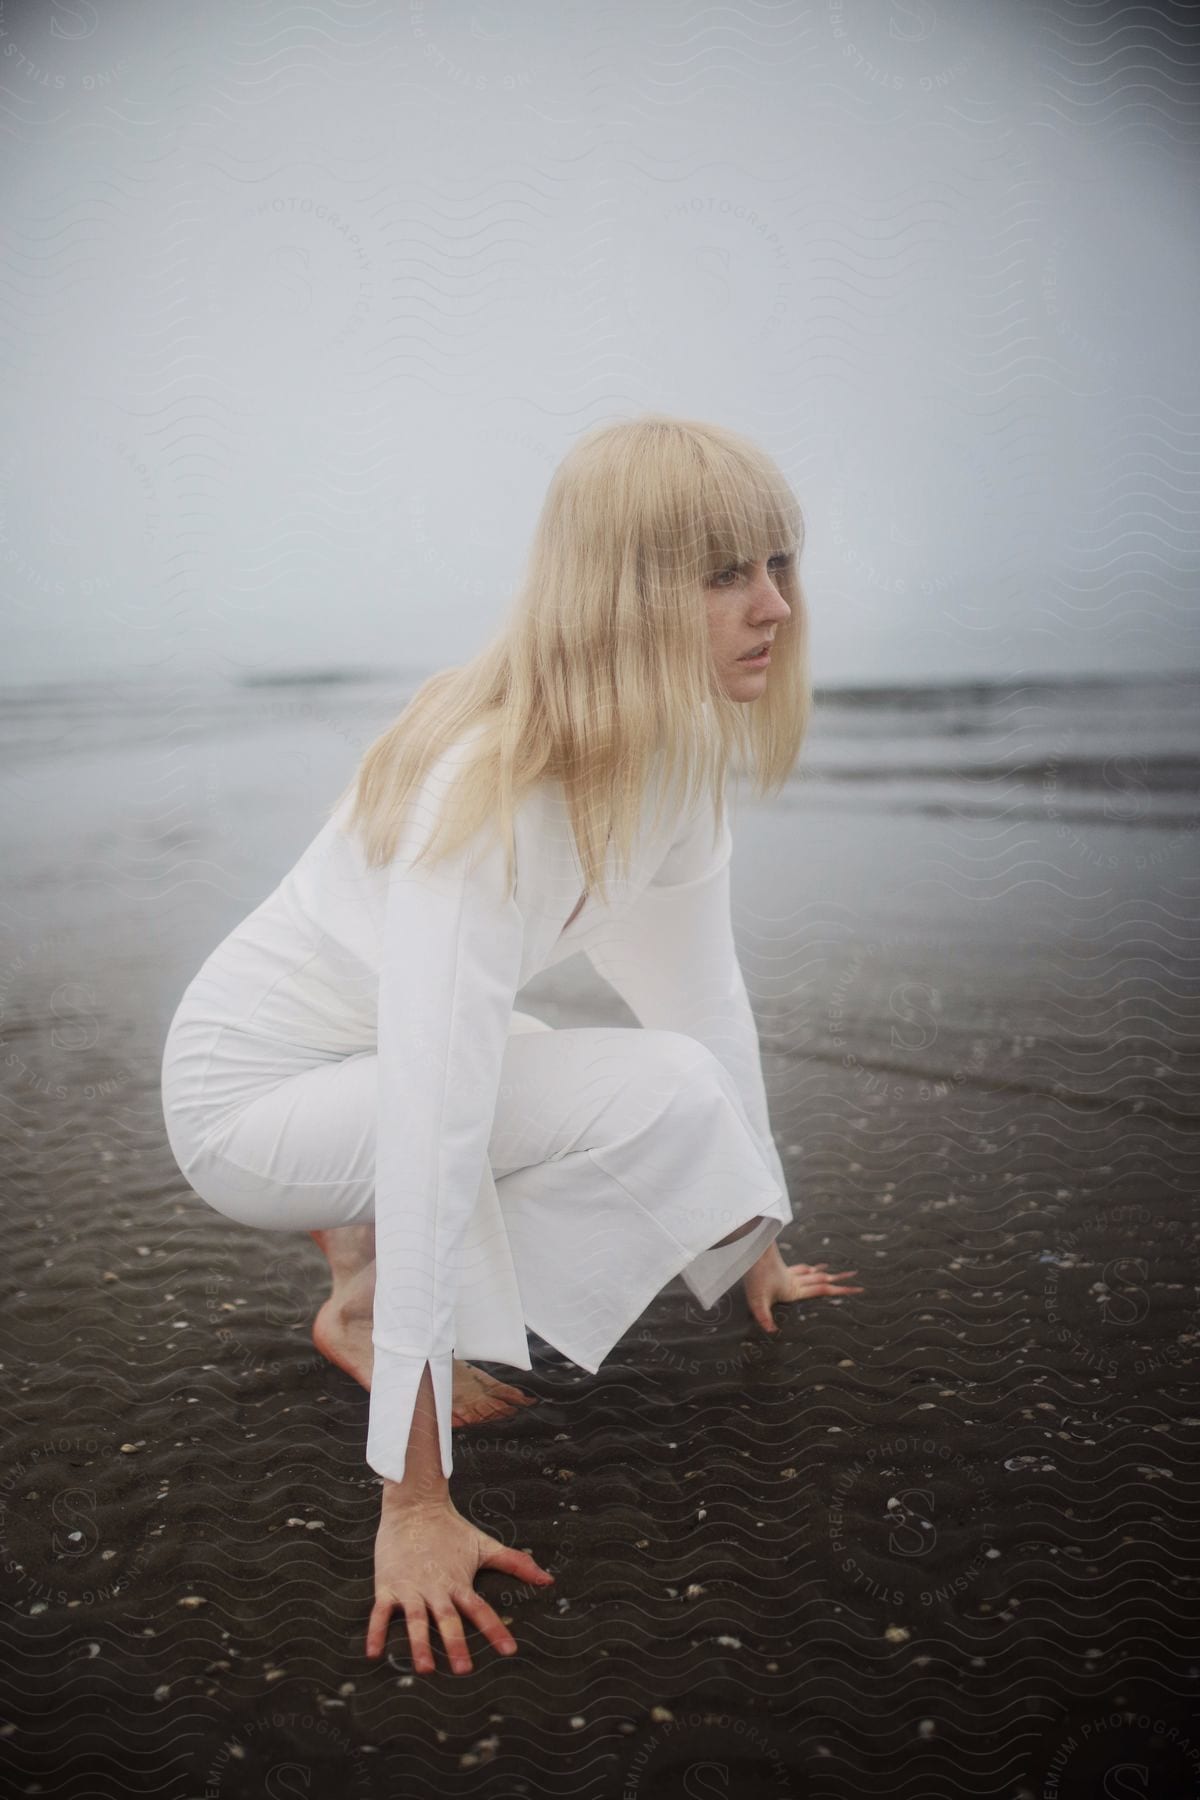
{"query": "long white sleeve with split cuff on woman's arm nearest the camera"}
{"type": "Point", "coordinates": [451, 967]}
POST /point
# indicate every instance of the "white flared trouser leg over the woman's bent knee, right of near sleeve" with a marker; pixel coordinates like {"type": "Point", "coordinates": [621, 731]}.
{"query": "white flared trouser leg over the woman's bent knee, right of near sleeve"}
{"type": "Point", "coordinates": [622, 1160]}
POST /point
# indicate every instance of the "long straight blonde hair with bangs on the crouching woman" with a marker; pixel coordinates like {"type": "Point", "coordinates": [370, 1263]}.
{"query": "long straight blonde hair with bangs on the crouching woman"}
{"type": "Point", "coordinates": [602, 670]}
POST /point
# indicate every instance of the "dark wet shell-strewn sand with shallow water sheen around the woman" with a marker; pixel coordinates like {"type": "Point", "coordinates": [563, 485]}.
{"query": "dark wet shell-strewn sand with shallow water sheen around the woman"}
{"type": "Point", "coordinates": [940, 1540]}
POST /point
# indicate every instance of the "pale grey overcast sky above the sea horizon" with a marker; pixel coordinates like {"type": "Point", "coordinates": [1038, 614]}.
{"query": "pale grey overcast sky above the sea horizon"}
{"type": "Point", "coordinates": [303, 307]}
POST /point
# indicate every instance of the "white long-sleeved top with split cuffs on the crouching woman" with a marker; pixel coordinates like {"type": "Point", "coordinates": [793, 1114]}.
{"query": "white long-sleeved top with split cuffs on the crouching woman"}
{"type": "Point", "coordinates": [425, 966]}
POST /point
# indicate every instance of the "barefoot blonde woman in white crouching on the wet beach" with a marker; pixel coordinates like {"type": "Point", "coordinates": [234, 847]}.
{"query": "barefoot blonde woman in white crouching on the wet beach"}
{"type": "Point", "coordinates": [350, 1059]}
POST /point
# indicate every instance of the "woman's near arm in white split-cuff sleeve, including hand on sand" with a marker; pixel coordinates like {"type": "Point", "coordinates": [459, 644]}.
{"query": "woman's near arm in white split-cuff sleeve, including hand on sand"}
{"type": "Point", "coordinates": [452, 946]}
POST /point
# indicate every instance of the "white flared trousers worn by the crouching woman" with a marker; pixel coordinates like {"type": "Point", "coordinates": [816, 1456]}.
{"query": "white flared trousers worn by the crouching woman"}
{"type": "Point", "coordinates": [620, 1158]}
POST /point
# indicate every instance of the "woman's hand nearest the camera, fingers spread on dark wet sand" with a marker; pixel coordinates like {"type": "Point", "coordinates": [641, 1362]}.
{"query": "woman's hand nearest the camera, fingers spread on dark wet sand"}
{"type": "Point", "coordinates": [425, 1561]}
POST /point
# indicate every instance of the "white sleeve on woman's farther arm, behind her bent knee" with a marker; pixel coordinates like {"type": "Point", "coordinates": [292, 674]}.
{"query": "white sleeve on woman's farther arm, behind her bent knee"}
{"type": "Point", "coordinates": [672, 960]}
